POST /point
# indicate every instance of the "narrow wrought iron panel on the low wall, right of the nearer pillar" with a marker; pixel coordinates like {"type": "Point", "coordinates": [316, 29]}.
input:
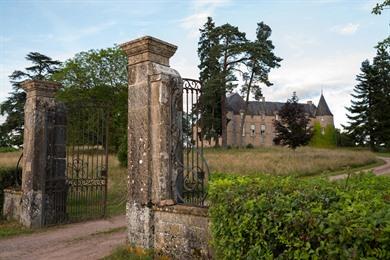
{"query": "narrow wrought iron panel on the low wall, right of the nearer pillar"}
{"type": "Point", "coordinates": [190, 167]}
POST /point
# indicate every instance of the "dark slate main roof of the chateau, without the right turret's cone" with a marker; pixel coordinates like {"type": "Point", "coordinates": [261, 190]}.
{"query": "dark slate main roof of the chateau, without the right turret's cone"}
{"type": "Point", "coordinates": [235, 103]}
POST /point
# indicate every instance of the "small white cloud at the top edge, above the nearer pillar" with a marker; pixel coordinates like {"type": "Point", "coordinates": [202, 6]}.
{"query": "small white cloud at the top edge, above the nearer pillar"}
{"type": "Point", "coordinates": [201, 9]}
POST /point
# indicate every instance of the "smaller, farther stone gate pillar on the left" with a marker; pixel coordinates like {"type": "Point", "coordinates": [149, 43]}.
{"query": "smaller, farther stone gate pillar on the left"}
{"type": "Point", "coordinates": [40, 98]}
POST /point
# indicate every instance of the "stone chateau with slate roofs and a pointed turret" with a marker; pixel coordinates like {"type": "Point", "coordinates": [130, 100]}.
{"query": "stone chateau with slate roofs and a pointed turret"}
{"type": "Point", "coordinates": [259, 129]}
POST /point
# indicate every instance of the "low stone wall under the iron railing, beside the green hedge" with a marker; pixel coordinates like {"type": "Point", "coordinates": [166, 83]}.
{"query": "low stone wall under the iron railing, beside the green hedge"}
{"type": "Point", "coordinates": [182, 232]}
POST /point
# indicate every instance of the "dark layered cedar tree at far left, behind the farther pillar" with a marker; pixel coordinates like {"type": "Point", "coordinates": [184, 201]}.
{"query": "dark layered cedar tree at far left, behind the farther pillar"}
{"type": "Point", "coordinates": [11, 131]}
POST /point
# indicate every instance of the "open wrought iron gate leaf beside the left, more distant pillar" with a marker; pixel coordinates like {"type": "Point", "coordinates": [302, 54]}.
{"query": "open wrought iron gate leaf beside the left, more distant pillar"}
{"type": "Point", "coordinates": [87, 161]}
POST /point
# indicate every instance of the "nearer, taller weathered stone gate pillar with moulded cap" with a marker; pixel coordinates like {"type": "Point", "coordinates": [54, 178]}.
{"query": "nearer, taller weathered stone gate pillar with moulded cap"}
{"type": "Point", "coordinates": [151, 81]}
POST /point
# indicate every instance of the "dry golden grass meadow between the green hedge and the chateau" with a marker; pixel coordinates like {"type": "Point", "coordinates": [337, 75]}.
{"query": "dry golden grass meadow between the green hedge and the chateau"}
{"type": "Point", "coordinates": [303, 161]}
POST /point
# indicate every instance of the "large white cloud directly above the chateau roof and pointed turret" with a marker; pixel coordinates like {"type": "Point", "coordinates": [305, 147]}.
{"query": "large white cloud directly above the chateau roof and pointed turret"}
{"type": "Point", "coordinates": [335, 74]}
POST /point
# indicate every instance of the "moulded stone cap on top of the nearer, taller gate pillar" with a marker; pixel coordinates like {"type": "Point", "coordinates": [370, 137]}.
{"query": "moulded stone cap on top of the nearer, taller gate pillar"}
{"type": "Point", "coordinates": [148, 48]}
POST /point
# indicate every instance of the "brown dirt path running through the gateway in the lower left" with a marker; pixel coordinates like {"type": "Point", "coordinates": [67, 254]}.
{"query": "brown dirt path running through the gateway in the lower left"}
{"type": "Point", "coordinates": [89, 240]}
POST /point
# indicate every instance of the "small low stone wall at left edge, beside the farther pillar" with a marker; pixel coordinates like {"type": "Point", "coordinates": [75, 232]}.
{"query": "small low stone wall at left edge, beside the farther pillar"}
{"type": "Point", "coordinates": [12, 204]}
